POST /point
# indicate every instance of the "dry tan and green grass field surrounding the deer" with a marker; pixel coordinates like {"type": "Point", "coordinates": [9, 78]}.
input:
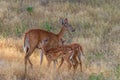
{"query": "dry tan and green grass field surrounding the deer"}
{"type": "Point", "coordinates": [97, 24]}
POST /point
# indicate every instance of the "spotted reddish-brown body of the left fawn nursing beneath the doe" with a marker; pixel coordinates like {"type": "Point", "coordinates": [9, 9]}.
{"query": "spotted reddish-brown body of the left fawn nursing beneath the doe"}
{"type": "Point", "coordinates": [63, 51]}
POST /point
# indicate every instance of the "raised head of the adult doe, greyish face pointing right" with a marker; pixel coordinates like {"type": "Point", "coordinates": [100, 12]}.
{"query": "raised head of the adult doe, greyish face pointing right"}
{"type": "Point", "coordinates": [66, 25]}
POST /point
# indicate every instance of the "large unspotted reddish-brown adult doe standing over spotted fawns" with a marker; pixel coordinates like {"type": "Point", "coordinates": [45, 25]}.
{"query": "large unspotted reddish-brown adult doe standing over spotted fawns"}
{"type": "Point", "coordinates": [33, 37]}
